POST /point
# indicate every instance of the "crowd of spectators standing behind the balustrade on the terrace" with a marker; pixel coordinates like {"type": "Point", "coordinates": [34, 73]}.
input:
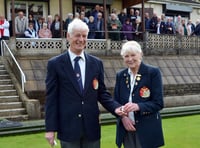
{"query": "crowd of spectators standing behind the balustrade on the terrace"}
{"type": "Point", "coordinates": [126, 25]}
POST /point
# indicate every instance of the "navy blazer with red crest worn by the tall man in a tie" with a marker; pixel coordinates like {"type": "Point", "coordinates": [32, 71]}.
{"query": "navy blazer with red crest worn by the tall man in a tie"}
{"type": "Point", "coordinates": [68, 111]}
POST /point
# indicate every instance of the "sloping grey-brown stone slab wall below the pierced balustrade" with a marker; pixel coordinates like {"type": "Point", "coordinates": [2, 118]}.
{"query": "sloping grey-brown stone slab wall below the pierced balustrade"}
{"type": "Point", "coordinates": [180, 74]}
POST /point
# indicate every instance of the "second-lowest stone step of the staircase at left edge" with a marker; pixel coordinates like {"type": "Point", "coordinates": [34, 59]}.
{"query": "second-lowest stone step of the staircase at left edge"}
{"type": "Point", "coordinates": [12, 112]}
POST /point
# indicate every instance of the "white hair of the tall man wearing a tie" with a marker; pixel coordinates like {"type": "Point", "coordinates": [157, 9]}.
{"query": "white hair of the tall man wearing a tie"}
{"type": "Point", "coordinates": [77, 24]}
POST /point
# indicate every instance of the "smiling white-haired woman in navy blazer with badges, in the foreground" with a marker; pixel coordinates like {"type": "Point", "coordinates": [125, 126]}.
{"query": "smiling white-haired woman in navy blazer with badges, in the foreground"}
{"type": "Point", "coordinates": [139, 88]}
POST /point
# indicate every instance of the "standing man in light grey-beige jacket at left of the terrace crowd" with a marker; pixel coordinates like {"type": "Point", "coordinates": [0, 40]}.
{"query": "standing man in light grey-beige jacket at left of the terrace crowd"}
{"type": "Point", "coordinates": [21, 24]}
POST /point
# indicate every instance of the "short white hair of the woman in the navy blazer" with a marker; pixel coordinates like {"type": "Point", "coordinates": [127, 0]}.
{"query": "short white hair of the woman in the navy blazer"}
{"type": "Point", "coordinates": [130, 47]}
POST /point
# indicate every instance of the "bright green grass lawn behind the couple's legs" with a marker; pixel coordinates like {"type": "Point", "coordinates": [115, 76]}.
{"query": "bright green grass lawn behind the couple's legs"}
{"type": "Point", "coordinates": [179, 132]}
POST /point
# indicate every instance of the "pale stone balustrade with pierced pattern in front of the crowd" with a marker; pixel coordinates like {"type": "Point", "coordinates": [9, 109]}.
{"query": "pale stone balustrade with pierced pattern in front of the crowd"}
{"type": "Point", "coordinates": [153, 44]}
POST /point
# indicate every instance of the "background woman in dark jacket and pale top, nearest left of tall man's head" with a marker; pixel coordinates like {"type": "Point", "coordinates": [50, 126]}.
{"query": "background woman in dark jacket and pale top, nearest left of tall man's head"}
{"type": "Point", "coordinates": [56, 27]}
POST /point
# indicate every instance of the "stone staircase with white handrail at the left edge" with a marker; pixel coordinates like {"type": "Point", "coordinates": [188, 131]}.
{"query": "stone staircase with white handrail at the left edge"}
{"type": "Point", "coordinates": [11, 107]}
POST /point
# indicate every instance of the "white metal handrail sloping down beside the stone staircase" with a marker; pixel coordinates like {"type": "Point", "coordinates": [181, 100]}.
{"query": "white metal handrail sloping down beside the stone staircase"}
{"type": "Point", "coordinates": [23, 78]}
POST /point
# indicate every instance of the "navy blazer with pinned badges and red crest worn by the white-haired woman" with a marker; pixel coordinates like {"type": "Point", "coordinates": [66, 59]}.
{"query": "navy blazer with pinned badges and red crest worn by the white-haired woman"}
{"type": "Point", "coordinates": [148, 94]}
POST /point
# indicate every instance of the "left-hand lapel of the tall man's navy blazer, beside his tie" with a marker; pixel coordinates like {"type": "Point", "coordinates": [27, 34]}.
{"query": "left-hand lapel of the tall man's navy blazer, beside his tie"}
{"type": "Point", "coordinates": [68, 69]}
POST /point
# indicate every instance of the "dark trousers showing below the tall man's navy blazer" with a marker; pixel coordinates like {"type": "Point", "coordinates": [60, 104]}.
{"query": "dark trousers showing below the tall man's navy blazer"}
{"type": "Point", "coordinates": [83, 143]}
